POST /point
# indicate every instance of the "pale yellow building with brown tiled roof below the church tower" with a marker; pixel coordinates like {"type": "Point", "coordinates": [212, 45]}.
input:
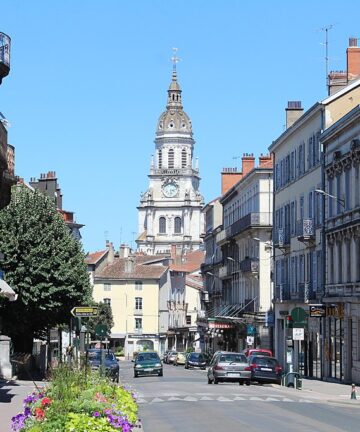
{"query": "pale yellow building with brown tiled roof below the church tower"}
{"type": "Point", "coordinates": [133, 287]}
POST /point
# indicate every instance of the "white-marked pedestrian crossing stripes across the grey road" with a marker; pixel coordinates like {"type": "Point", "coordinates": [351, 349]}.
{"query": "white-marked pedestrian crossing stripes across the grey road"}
{"type": "Point", "coordinates": [142, 399]}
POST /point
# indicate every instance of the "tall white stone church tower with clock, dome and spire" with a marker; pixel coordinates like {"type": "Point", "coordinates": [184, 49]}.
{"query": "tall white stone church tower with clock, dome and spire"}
{"type": "Point", "coordinates": [170, 209]}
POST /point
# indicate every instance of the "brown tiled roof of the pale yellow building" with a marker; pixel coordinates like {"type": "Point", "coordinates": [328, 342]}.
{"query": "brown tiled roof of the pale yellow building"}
{"type": "Point", "coordinates": [134, 267]}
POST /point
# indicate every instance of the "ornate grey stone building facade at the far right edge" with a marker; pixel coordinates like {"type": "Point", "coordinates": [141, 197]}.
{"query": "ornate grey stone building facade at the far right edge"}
{"type": "Point", "coordinates": [341, 326]}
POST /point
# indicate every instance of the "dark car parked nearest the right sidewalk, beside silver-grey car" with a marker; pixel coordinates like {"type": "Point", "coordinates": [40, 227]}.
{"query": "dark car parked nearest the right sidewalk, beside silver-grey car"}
{"type": "Point", "coordinates": [265, 369]}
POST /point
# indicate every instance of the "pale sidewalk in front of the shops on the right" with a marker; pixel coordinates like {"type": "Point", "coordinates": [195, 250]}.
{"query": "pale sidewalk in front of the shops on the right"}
{"type": "Point", "coordinates": [330, 391]}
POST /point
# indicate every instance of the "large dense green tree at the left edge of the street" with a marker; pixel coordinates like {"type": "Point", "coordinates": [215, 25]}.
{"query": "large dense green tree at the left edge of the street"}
{"type": "Point", "coordinates": [44, 265]}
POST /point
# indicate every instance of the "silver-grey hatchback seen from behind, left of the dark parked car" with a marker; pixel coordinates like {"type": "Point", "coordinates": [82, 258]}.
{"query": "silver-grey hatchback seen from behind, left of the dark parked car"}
{"type": "Point", "coordinates": [229, 366]}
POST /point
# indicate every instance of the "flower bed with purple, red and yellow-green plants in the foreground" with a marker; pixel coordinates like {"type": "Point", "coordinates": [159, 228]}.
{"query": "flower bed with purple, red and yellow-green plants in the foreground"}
{"type": "Point", "coordinates": [77, 401]}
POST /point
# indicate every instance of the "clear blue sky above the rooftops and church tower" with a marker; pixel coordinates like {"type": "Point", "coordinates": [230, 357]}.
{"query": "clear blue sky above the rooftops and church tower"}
{"type": "Point", "coordinates": [89, 80]}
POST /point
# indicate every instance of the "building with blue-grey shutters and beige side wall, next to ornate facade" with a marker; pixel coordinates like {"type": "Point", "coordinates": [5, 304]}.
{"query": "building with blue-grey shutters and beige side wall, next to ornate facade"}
{"type": "Point", "coordinates": [298, 216]}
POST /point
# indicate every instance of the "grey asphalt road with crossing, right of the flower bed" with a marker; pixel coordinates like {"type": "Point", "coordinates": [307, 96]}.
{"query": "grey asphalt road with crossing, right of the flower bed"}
{"type": "Point", "coordinates": [182, 400]}
